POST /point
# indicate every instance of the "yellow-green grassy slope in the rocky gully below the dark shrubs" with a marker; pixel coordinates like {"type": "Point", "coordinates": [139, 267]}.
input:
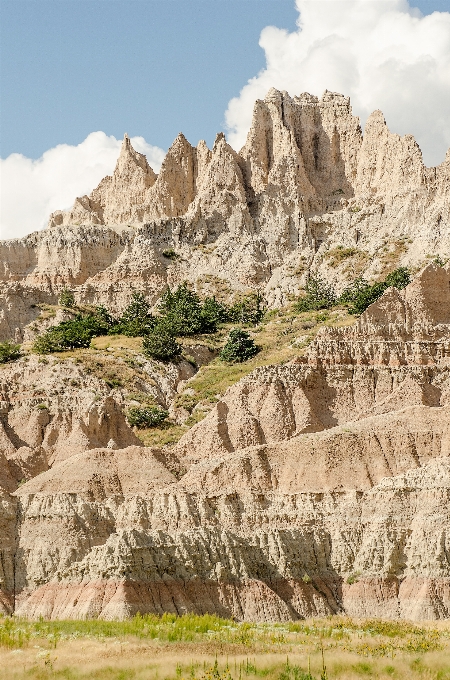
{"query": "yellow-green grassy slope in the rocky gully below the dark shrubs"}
{"type": "Point", "coordinates": [282, 336]}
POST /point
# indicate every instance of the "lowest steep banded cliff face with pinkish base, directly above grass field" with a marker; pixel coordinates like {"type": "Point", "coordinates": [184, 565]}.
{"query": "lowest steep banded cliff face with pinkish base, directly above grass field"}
{"type": "Point", "coordinates": [252, 554]}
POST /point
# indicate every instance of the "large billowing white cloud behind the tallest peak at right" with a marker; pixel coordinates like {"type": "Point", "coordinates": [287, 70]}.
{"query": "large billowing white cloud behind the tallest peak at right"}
{"type": "Point", "coordinates": [383, 54]}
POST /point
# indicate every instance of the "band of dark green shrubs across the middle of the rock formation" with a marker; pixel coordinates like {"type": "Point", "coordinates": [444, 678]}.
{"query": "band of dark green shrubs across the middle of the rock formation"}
{"type": "Point", "coordinates": [181, 313]}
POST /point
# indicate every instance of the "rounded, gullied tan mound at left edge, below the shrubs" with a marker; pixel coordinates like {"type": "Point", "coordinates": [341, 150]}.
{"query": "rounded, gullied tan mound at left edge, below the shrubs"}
{"type": "Point", "coordinates": [52, 409]}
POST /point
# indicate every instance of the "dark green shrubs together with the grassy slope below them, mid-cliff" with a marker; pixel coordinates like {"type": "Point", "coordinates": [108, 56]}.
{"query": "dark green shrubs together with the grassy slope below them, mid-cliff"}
{"type": "Point", "coordinates": [281, 335]}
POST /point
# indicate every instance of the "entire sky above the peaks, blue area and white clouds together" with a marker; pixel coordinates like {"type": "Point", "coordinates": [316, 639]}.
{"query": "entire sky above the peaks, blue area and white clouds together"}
{"type": "Point", "coordinates": [77, 74]}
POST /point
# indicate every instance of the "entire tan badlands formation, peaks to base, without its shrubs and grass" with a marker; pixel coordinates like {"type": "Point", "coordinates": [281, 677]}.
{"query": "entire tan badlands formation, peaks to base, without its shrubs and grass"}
{"type": "Point", "coordinates": [316, 485]}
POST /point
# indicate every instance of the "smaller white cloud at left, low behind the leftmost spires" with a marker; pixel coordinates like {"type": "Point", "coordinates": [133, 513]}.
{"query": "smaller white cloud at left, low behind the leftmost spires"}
{"type": "Point", "coordinates": [31, 189]}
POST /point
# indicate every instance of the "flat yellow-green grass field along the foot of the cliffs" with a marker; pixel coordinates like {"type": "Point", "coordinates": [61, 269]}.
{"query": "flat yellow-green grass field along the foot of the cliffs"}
{"type": "Point", "coordinates": [208, 648]}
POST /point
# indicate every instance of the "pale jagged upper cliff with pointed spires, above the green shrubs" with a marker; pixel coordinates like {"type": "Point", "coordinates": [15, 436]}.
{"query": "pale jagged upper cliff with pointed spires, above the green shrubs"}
{"type": "Point", "coordinates": [308, 190]}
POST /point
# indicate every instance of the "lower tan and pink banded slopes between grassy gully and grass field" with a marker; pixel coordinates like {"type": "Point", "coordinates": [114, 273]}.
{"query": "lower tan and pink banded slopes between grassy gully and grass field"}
{"type": "Point", "coordinates": [320, 486]}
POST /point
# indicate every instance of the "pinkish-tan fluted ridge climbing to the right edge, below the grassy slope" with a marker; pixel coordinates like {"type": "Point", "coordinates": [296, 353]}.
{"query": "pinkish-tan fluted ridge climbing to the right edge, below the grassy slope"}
{"type": "Point", "coordinates": [397, 355]}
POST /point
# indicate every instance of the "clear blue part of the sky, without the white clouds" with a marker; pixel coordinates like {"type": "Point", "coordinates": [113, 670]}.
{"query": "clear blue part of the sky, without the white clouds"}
{"type": "Point", "coordinates": [147, 67]}
